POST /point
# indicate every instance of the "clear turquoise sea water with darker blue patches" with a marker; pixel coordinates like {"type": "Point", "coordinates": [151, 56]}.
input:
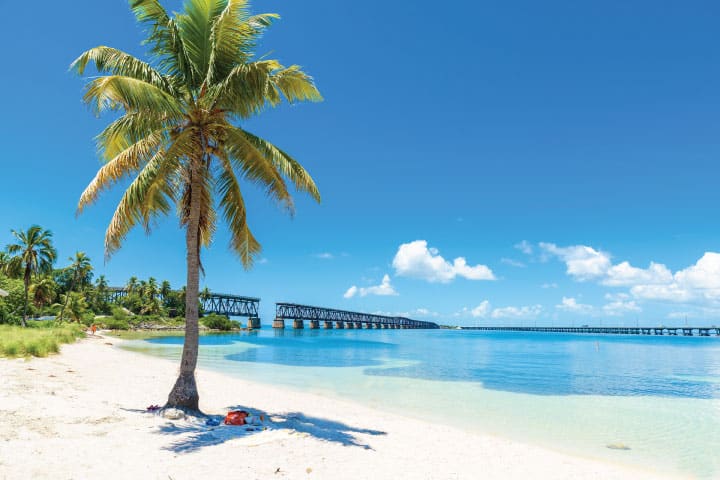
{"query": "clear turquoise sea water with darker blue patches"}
{"type": "Point", "coordinates": [659, 396]}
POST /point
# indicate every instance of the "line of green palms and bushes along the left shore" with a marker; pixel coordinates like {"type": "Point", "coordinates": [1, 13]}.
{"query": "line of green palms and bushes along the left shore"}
{"type": "Point", "coordinates": [37, 287]}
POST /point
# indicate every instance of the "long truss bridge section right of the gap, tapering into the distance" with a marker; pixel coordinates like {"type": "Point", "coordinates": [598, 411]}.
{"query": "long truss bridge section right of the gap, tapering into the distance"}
{"type": "Point", "coordinates": [340, 318]}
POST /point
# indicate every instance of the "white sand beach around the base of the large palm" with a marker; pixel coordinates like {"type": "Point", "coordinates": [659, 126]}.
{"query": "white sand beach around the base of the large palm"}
{"type": "Point", "coordinates": [81, 415]}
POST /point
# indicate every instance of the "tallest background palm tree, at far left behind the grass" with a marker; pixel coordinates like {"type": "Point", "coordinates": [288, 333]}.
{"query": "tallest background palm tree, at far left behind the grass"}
{"type": "Point", "coordinates": [35, 254]}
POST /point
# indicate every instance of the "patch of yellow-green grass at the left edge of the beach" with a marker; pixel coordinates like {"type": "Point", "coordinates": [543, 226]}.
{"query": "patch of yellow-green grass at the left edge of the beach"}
{"type": "Point", "coordinates": [39, 339]}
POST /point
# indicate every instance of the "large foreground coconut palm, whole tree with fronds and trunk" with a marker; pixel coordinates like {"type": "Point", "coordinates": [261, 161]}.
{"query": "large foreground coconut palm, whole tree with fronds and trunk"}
{"type": "Point", "coordinates": [178, 136]}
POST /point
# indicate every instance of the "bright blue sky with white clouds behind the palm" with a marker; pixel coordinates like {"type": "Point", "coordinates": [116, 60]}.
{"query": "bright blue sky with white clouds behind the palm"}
{"type": "Point", "coordinates": [545, 143]}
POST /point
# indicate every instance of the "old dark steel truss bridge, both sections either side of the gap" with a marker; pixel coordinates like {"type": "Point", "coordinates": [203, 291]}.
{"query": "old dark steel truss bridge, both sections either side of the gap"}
{"type": "Point", "coordinates": [238, 306]}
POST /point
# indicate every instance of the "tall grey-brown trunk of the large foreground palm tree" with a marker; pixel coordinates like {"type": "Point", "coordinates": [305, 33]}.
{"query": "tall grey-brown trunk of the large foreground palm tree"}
{"type": "Point", "coordinates": [185, 394]}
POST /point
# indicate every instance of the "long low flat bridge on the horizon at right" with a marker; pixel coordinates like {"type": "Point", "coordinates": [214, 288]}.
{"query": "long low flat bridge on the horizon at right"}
{"type": "Point", "coordinates": [671, 331]}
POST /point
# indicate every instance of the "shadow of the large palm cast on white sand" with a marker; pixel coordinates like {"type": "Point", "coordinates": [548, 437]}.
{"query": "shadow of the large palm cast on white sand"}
{"type": "Point", "coordinates": [196, 436]}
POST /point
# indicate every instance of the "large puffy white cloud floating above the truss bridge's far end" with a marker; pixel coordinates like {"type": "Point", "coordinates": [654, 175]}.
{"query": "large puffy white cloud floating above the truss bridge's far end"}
{"type": "Point", "coordinates": [416, 260]}
